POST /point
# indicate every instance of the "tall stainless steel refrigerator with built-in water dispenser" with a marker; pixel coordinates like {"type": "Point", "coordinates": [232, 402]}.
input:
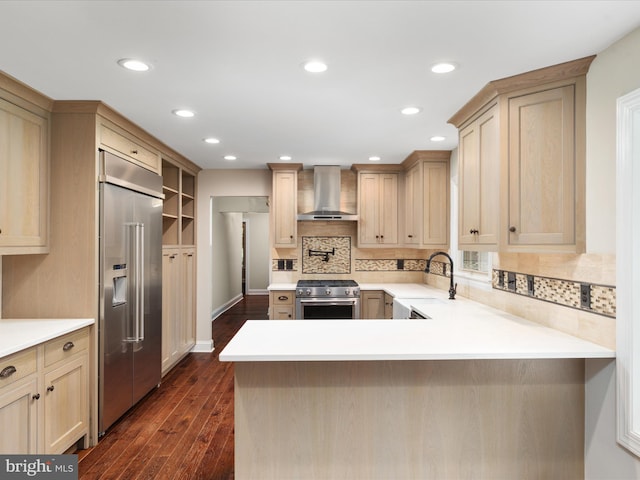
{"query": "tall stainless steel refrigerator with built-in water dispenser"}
{"type": "Point", "coordinates": [130, 315]}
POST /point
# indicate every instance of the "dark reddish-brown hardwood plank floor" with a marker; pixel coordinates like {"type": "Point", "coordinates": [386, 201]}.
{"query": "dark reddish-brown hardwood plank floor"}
{"type": "Point", "coordinates": [183, 429]}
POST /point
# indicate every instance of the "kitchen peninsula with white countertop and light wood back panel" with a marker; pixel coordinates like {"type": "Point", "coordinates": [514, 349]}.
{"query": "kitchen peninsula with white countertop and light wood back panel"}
{"type": "Point", "coordinates": [472, 392]}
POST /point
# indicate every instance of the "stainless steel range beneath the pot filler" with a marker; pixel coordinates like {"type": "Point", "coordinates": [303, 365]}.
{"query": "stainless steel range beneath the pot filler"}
{"type": "Point", "coordinates": [327, 299]}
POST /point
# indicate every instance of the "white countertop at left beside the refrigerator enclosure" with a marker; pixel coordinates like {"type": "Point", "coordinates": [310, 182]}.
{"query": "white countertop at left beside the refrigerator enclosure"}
{"type": "Point", "coordinates": [18, 334]}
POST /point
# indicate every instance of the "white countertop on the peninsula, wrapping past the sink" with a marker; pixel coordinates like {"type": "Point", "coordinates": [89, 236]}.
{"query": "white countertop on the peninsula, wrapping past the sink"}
{"type": "Point", "coordinates": [458, 329]}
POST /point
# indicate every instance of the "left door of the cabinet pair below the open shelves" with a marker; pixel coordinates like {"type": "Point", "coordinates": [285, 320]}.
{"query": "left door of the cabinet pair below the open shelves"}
{"type": "Point", "coordinates": [170, 305]}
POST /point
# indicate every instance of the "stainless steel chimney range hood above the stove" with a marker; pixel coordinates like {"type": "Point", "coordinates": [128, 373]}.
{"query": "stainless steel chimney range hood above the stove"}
{"type": "Point", "coordinates": [326, 194]}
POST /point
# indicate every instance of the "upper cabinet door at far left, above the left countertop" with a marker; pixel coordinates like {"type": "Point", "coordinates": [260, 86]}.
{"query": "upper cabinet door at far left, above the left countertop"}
{"type": "Point", "coordinates": [24, 143]}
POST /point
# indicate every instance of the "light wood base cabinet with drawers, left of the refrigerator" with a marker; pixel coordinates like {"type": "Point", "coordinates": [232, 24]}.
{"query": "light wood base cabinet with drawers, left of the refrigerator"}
{"type": "Point", "coordinates": [44, 396]}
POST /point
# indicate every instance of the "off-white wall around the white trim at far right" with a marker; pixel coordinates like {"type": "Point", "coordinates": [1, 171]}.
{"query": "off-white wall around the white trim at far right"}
{"type": "Point", "coordinates": [613, 73]}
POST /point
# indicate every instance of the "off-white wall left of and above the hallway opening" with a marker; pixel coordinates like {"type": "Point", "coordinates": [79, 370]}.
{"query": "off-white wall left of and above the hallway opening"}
{"type": "Point", "coordinates": [212, 183]}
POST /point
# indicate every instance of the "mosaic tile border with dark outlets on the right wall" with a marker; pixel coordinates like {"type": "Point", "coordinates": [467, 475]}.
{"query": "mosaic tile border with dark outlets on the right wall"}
{"type": "Point", "coordinates": [600, 299]}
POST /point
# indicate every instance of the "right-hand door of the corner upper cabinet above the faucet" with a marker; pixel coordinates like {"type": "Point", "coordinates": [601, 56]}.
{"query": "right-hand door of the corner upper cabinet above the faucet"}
{"type": "Point", "coordinates": [435, 225]}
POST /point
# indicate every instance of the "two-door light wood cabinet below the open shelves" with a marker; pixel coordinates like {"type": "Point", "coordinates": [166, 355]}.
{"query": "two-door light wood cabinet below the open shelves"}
{"type": "Point", "coordinates": [178, 305]}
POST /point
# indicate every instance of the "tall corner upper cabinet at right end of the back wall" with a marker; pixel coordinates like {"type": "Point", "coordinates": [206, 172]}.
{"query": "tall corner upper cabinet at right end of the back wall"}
{"type": "Point", "coordinates": [426, 199]}
